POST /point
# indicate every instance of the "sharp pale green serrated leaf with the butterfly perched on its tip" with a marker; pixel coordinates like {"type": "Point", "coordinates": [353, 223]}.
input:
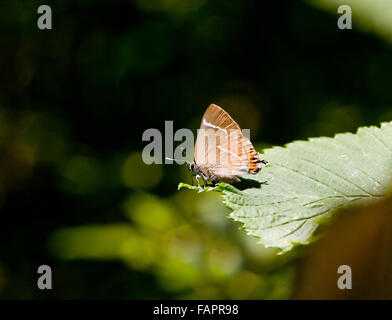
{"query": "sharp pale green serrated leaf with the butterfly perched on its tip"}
{"type": "Point", "coordinates": [306, 181]}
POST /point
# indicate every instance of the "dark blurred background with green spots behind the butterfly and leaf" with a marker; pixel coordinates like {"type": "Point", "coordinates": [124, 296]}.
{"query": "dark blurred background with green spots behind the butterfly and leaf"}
{"type": "Point", "coordinates": [75, 100]}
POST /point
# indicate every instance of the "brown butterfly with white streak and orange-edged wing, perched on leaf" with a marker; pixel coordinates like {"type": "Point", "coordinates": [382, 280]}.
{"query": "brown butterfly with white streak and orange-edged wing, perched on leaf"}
{"type": "Point", "coordinates": [221, 151]}
